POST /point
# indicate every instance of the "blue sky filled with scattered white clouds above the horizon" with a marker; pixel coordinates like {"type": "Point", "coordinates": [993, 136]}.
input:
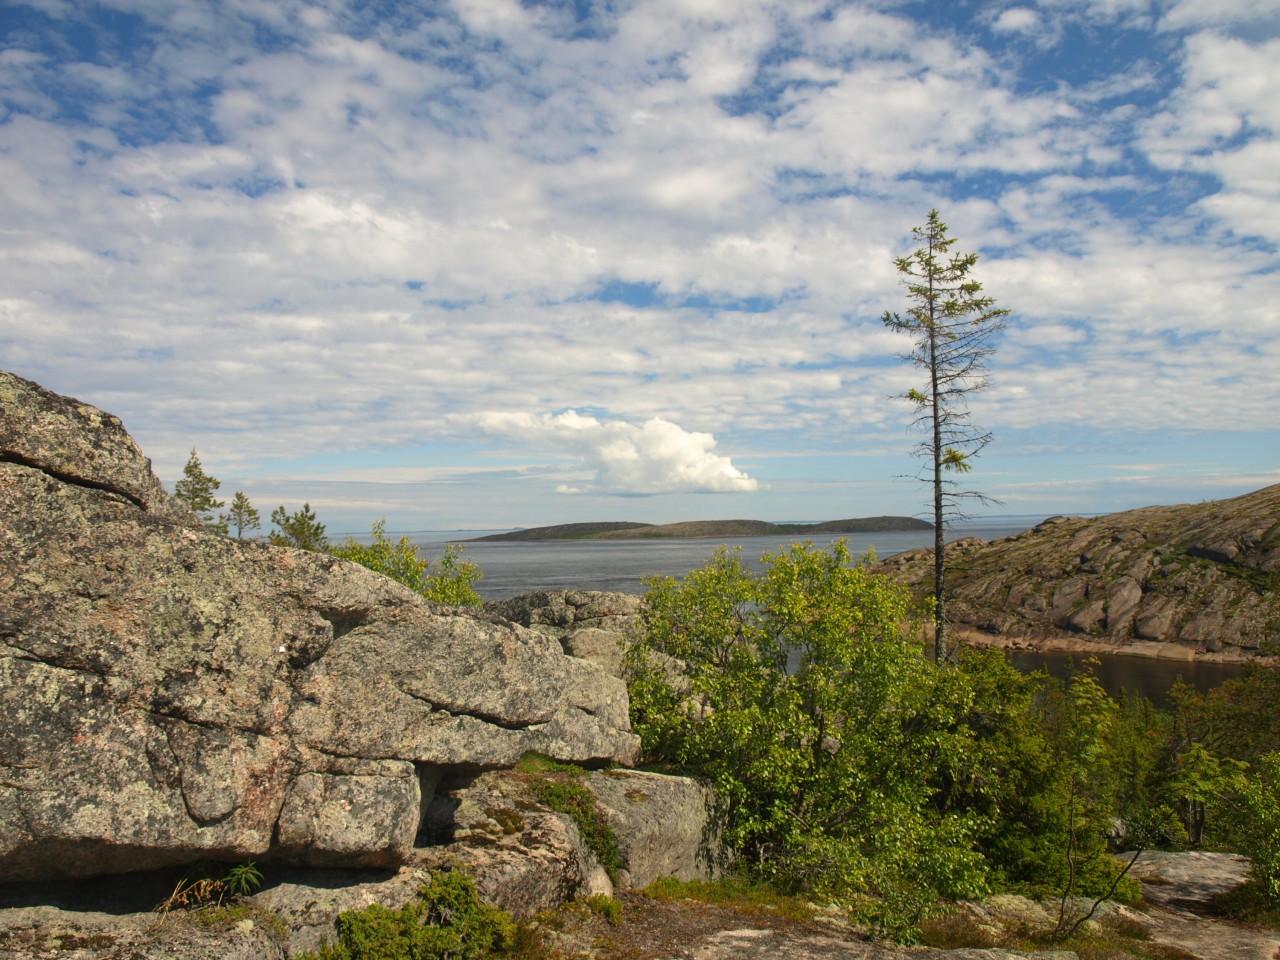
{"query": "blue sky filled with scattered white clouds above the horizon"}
{"type": "Point", "coordinates": [488, 264]}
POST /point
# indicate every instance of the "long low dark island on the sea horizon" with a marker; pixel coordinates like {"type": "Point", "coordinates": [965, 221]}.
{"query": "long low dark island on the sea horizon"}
{"type": "Point", "coordinates": [623, 531]}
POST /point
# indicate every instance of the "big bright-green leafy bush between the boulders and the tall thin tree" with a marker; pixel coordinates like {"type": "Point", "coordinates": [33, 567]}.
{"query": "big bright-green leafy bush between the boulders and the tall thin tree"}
{"type": "Point", "coordinates": [819, 721]}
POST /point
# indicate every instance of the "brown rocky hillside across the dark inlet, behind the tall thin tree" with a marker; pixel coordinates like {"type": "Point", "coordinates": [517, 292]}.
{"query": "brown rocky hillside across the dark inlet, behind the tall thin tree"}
{"type": "Point", "coordinates": [1203, 577]}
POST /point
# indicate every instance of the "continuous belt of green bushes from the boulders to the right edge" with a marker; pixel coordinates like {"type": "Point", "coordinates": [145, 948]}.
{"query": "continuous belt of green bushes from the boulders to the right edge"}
{"type": "Point", "coordinates": [854, 770]}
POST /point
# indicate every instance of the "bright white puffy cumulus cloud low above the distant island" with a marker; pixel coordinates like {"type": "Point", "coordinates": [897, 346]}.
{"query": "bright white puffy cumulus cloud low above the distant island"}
{"type": "Point", "coordinates": [652, 458]}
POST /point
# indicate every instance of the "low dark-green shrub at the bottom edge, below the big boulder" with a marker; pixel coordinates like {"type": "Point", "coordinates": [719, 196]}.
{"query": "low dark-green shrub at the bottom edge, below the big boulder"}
{"type": "Point", "coordinates": [449, 922]}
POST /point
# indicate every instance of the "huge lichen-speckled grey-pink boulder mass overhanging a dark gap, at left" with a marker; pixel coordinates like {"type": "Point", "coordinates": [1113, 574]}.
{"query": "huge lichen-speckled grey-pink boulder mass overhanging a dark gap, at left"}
{"type": "Point", "coordinates": [172, 696]}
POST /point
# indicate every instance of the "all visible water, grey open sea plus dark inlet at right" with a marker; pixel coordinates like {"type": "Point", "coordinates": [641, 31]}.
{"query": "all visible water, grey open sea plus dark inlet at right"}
{"type": "Point", "coordinates": [514, 569]}
